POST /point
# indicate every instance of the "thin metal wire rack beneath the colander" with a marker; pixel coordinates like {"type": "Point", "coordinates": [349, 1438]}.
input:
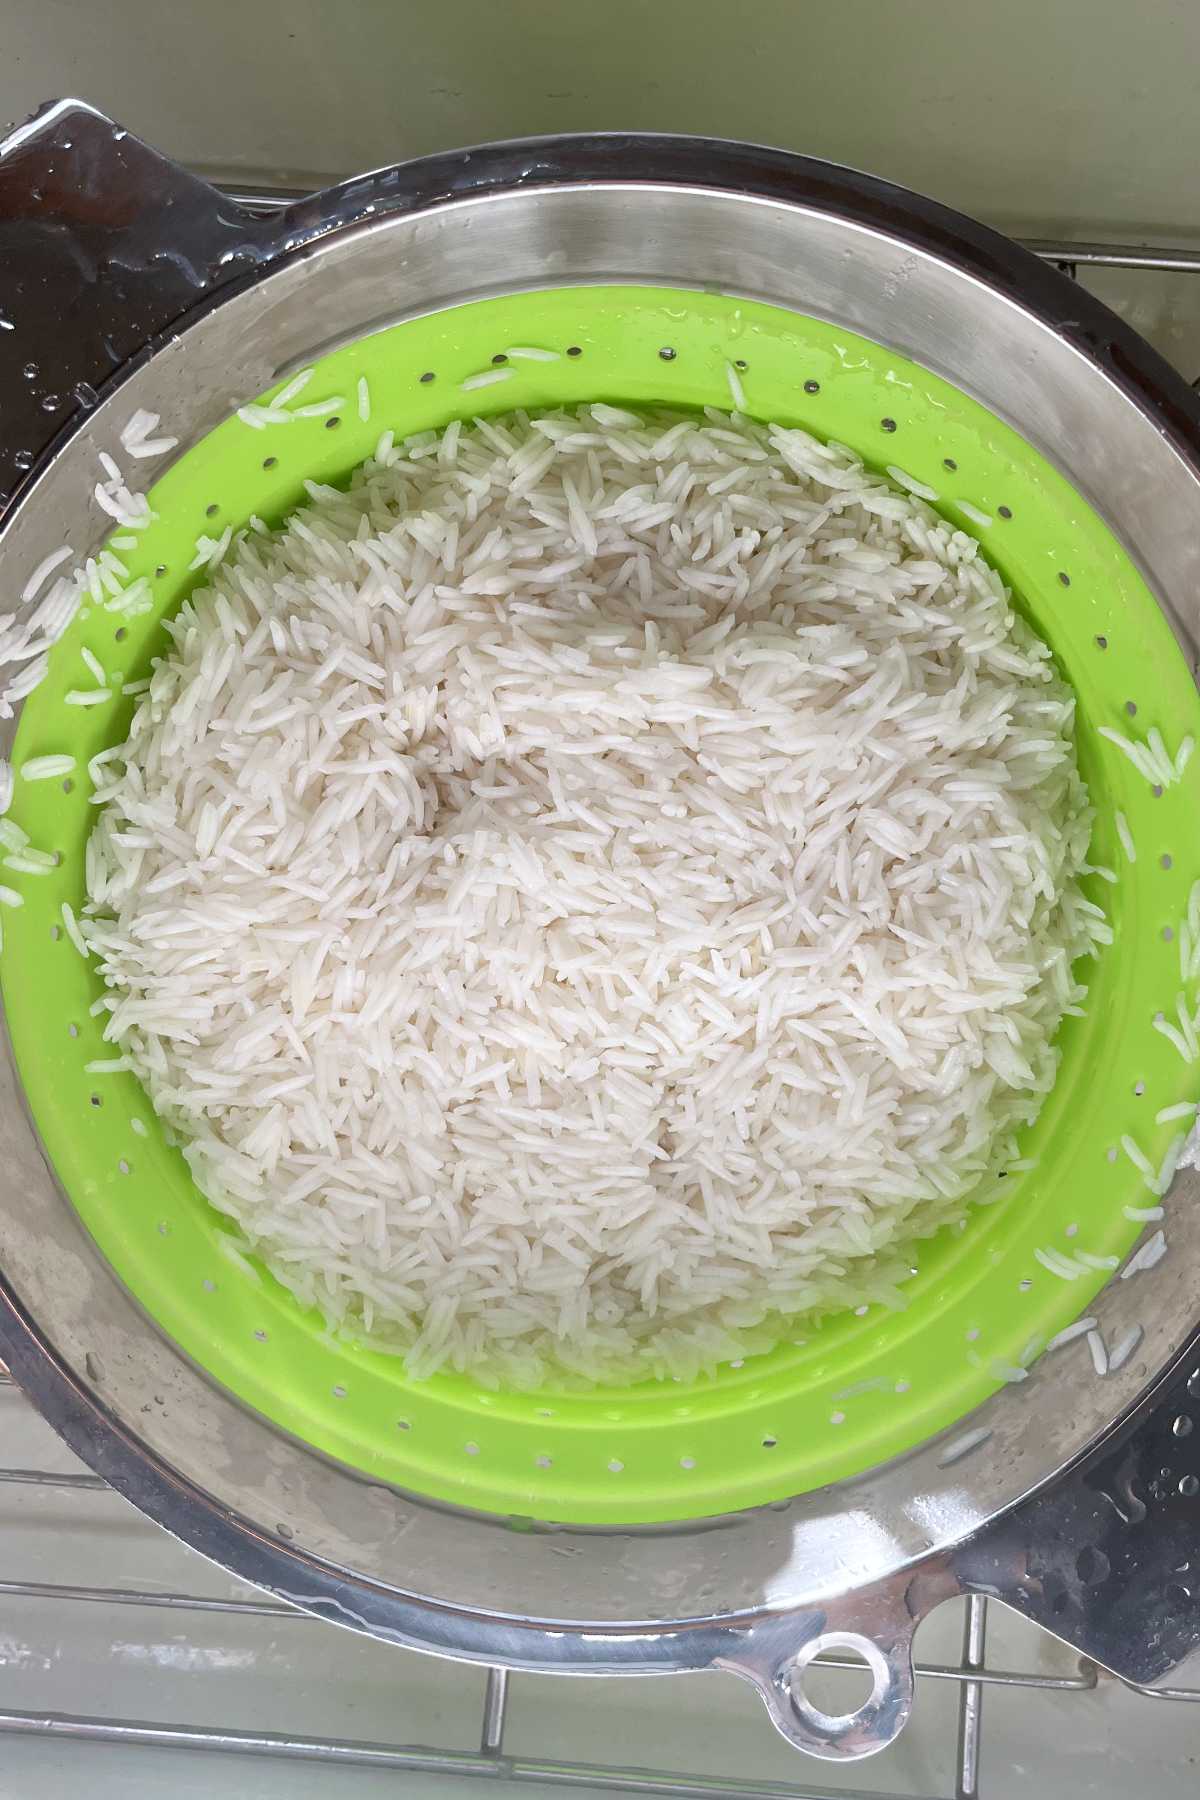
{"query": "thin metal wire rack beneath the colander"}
{"type": "Point", "coordinates": [971, 1677]}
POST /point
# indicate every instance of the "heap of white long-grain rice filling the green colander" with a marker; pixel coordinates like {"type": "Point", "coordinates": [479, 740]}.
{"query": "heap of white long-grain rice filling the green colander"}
{"type": "Point", "coordinates": [596, 890]}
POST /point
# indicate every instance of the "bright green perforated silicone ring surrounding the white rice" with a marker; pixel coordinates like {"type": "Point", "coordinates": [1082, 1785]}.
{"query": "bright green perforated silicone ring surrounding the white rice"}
{"type": "Point", "coordinates": [834, 1399]}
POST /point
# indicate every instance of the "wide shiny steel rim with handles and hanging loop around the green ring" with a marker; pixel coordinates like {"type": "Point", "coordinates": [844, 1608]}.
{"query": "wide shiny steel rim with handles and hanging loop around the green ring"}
{"type": "Point", "coordinates": [183, 305]}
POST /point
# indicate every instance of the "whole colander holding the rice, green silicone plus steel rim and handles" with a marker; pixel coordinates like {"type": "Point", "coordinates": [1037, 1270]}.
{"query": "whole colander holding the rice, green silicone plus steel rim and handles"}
{"type": "Point", "coordinates": [751, 1518]}
